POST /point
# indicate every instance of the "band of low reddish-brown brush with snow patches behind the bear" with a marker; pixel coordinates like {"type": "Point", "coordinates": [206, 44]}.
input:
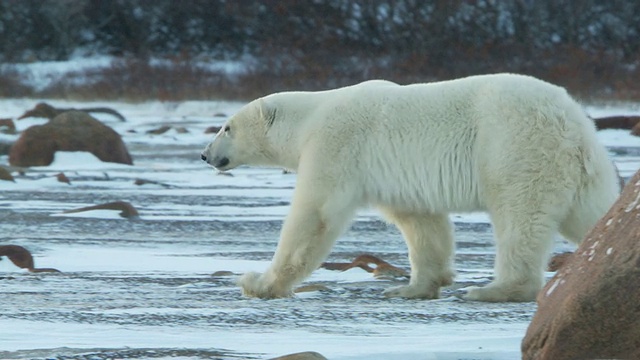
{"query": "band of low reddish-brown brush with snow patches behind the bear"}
{"type": "Point", "coordinates": [138, 80]}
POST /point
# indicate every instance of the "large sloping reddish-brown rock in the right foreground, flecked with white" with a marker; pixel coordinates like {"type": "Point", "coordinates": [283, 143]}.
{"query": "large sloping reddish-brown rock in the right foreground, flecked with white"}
{"type": "Point", "coordinates": [591, 308]}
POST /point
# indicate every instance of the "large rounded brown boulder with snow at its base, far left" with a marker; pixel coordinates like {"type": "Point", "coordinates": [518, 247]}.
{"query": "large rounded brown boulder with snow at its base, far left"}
{"type": "Point", "coordinates": [69, 131]}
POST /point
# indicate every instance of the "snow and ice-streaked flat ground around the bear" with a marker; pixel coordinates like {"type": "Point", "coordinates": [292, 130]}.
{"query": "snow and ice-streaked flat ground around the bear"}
{"type": "Point", "coordinates": [145, 288]}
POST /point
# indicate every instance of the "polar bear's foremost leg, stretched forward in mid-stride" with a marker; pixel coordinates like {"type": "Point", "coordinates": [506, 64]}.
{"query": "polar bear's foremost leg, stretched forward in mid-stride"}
{"type": "Point", "coordinates": [314, 223]}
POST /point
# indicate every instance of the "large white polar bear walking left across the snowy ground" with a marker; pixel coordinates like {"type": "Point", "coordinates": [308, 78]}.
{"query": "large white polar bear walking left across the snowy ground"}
{"type": "Point", "coordinates": [511, 145]}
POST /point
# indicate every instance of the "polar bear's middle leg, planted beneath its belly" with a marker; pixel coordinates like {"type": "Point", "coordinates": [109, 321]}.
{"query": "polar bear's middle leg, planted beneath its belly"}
{"type": "Point", "coordinates": [431, 249]}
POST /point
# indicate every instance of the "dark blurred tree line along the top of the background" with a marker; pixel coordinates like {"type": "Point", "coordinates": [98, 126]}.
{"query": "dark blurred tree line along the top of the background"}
{"type": "Point", "coordinates": [329, 39]}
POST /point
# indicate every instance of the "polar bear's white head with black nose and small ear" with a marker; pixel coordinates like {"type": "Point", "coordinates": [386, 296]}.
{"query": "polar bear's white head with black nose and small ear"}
{"type": "Point", "coordinates": [243, 138]}
